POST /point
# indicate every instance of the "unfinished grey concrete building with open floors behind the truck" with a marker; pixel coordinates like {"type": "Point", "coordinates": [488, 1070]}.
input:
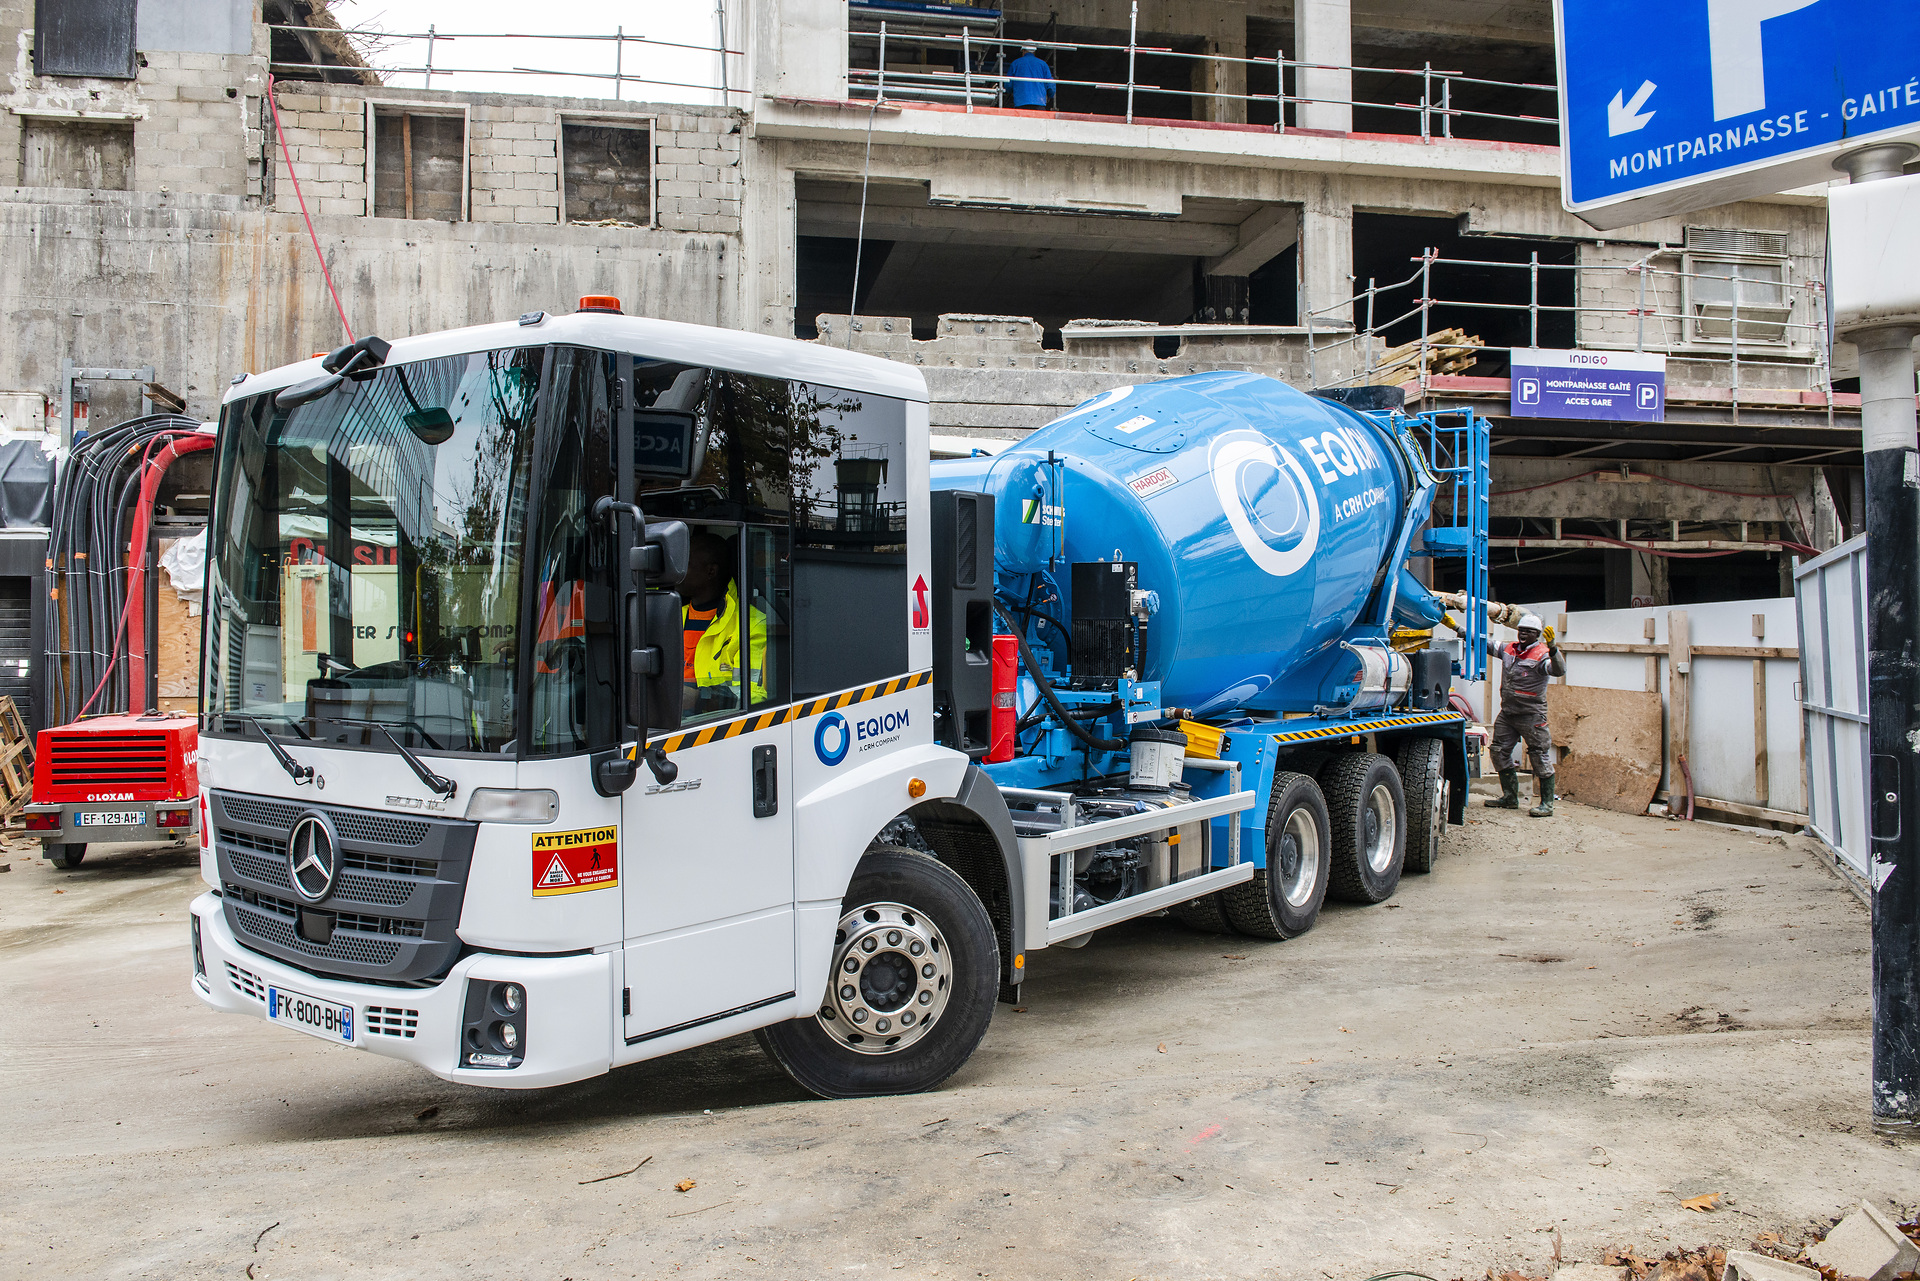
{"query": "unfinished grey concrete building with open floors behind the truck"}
{"type": "Point", "coordinates": [1333, 193]}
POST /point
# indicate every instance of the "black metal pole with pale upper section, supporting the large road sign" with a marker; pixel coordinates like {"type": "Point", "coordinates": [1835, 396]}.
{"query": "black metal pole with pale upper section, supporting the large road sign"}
{"type": "Point", "coordinates": [1892, 447]}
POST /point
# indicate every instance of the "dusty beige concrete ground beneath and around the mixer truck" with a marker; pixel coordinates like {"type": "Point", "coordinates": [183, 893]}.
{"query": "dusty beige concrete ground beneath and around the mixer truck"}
{"type": "Point", "coordinates": [1562, 1034]}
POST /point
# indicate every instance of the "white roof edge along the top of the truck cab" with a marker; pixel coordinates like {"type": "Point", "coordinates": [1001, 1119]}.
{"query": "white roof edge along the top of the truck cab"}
{"type": "Point", "coordinates": [667, 341]}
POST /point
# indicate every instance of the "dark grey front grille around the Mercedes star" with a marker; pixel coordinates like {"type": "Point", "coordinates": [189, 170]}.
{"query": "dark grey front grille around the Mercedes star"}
{"type": "Point", "coordinates": [395, 907]}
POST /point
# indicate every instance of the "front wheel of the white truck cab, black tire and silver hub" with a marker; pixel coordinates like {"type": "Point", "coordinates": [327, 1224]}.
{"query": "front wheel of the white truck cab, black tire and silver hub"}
{"type": "Point", "coordinates": [915, 1030]}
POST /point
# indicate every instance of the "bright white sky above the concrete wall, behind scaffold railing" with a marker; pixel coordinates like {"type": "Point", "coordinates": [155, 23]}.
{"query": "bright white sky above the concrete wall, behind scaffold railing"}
{"type": "Point", "coordinates": [688, 22]}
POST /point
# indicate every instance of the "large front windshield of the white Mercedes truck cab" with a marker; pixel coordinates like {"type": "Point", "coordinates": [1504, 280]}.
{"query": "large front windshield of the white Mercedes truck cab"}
{"type": "Point", "coordinates": [364, 564]}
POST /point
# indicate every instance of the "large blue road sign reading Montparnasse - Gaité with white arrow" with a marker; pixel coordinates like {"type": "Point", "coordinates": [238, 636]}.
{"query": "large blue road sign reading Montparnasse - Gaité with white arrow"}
{"type": "Point", "coordinates": [1681, 105]}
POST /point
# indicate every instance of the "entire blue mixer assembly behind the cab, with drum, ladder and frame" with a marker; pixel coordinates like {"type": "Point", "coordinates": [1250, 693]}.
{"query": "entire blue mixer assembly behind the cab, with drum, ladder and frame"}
{"type": "Point", "coordinates": [1222, 560]}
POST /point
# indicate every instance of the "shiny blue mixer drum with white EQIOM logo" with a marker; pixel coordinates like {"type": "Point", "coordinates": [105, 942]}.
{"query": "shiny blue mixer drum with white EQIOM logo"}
{"type": "Point", "coordinates": [1262, 518]}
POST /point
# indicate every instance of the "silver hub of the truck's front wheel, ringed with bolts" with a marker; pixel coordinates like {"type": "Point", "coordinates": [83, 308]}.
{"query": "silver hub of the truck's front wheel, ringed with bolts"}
{"type": "Point", "coordinates": [892, 979]}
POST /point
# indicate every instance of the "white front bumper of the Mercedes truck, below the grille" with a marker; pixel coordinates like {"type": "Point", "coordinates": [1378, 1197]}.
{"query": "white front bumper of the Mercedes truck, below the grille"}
{"type": "Point", "coordinates": [569, 1007]}
